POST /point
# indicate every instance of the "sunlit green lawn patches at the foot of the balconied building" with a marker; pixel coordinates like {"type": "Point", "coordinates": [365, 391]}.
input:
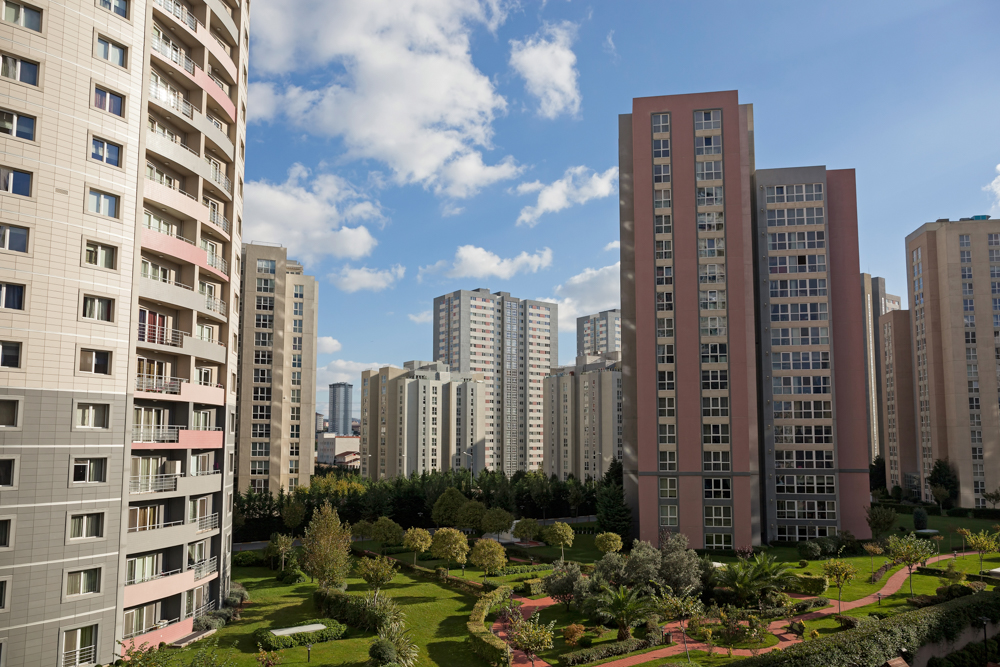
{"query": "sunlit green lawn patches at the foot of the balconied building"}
{"type": "Point", "coordinates": [435, 615]}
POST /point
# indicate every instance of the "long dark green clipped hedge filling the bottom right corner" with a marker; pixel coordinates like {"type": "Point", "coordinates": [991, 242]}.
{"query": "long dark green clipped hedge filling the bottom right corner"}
{"type": "Point", "coordinates": [875, 645]}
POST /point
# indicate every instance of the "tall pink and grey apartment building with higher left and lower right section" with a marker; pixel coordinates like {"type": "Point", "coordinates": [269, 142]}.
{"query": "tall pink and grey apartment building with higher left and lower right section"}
{"type": "Point", "coordinates": [700, 266]}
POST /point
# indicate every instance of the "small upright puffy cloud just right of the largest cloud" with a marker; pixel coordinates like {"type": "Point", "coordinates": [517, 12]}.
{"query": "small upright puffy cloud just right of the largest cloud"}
{"type": "Point", "coordinates": [548, 65]}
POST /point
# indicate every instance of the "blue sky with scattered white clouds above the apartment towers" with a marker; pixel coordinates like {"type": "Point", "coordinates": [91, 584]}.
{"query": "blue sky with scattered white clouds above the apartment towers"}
{"type": "Point", "coordinates": [403, 149]}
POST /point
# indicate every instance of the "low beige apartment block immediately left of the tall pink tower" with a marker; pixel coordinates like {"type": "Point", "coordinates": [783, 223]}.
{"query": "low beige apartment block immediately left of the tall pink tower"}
{"type": "Point", "coordinates": [583, 417]}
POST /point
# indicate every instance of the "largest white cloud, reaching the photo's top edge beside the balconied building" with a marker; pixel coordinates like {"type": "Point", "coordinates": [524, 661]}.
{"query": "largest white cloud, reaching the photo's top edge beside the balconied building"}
{"type": "Point", "coordinates": [405, 91]}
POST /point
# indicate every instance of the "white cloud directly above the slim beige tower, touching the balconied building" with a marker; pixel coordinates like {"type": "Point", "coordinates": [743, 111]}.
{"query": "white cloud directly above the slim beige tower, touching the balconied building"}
{"type": "Point", "coordinates": [319, 207]}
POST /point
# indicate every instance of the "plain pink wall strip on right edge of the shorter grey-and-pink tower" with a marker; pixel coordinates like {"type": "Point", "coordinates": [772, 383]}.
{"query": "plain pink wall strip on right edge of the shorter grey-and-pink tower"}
{"type": "Point", "coordinates": [848, 349]}
